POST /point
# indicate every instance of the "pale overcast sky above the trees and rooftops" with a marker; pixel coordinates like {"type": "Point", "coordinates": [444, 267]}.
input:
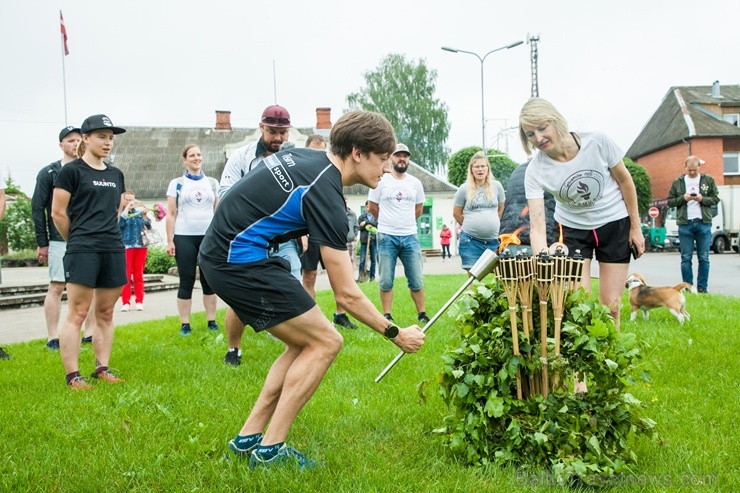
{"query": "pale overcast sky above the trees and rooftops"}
{"type": "Point", "coordinates": [606, 65]}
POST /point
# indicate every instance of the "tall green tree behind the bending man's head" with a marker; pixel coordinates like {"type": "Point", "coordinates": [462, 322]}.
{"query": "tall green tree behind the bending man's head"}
{"type": "Point", "coordinates": [403, 91]}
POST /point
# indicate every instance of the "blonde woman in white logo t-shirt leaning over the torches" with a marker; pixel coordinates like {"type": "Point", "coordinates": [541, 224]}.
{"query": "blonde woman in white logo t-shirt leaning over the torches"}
{"type": "Point", "coordinates": [595, 195]}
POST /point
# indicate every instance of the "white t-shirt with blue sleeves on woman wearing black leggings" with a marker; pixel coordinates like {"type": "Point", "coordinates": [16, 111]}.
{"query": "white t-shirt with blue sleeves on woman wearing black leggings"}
{"type": "Point", "coordinates": [194, 206]}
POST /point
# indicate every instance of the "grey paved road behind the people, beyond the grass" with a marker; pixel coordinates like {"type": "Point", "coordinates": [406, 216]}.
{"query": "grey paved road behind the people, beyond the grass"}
{"type": "Point", "coordinates": [26, 324]}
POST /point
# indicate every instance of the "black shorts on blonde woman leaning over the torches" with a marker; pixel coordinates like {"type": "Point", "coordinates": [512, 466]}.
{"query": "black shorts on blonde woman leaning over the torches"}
{"type": "Point", "coordinates": [611, 242]}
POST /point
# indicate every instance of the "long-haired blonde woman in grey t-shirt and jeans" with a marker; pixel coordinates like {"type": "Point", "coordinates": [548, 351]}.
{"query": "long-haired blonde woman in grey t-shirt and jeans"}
{"type": "Point", "coordinates": [477, 207]}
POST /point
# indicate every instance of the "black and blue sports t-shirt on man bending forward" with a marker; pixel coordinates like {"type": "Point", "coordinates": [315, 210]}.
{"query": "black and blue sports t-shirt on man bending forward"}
{"type": "Point", "coordinates": [288, 195]}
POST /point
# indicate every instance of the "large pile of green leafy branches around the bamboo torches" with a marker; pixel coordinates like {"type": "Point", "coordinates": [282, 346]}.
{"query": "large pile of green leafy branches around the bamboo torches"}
{"type": "Point", "coordinates": [584, 435]}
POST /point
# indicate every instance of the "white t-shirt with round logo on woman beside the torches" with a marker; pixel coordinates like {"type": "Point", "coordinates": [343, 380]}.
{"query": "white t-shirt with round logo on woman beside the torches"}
{"type": "Point", "coordinates": [586, 194]}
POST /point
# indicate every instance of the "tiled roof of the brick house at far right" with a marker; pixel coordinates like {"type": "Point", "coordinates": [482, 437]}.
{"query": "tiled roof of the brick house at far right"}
{"type": "Point", "coordinates": [687, 112]}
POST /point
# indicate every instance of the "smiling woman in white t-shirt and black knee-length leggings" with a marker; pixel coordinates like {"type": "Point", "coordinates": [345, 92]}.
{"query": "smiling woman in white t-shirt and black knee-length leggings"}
{"type": "Point", "coordinates": [191, 201]}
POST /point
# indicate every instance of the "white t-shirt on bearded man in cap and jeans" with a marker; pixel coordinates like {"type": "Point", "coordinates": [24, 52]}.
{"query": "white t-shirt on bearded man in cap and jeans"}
{"type": "Point", "coordinates": [397, 201]}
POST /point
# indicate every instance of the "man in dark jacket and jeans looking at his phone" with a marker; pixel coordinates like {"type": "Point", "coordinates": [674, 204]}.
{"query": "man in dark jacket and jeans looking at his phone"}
{"type": "Point", "coordinates": [693, 195]}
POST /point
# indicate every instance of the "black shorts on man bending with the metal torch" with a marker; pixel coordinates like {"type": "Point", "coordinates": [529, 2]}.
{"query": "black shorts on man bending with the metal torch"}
{"type": "Point", "coordinates": [262, 294]}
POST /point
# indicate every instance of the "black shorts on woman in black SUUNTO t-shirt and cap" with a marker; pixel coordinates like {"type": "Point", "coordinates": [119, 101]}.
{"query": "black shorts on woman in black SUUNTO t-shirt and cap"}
{"type": "Point", "coordinates": [95, 269]}
